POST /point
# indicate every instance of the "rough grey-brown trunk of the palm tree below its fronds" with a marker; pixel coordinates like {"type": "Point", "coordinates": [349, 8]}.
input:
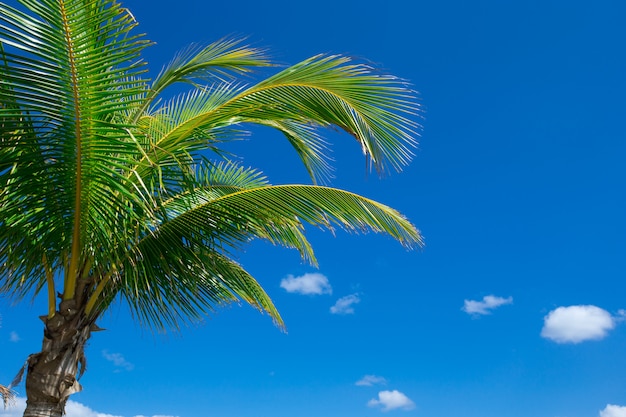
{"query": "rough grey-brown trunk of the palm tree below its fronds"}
{"type": "Point", "coordinates": [52, 373]}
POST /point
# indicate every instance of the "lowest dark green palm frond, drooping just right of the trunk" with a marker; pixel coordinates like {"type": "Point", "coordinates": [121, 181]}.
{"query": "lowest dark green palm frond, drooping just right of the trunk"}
{"type": "Point", "coordinates": [167, 294]}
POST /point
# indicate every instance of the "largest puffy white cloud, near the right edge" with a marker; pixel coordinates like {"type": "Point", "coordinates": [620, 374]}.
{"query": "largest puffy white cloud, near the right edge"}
{"type": "Point", "coordinates": [575, 324]}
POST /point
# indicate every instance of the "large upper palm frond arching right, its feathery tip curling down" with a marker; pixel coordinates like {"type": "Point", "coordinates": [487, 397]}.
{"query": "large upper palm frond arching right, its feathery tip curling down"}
{"type": "Point", "coordinates": [321, 91]}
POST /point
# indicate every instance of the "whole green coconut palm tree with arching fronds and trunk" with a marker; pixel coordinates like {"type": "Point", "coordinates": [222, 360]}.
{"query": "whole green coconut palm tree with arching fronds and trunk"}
{"type": "Point", "coordinates": [111, 192]}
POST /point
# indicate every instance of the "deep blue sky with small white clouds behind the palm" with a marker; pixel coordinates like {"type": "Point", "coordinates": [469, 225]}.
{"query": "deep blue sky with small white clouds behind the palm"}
{"type": "Point", "coordinates": [515, 306]}
